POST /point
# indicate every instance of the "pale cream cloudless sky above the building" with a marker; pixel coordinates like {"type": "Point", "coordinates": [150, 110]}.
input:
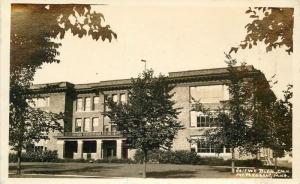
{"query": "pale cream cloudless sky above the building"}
{"type": "Point", "coordinates": [170, 38]}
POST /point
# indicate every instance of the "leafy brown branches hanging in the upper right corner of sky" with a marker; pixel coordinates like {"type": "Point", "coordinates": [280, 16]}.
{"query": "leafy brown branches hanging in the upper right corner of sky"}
{"type": "Point", "coordinates": [273, 26]}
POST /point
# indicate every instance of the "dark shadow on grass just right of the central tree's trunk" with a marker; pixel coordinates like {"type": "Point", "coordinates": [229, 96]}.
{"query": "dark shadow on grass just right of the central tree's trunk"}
{"type": "Point", "coordinates": [171, 174]}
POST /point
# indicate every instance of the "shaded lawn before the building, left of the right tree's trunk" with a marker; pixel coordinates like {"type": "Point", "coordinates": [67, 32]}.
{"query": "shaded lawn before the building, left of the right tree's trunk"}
{"type": "Point", "coordinates": [112, 170]}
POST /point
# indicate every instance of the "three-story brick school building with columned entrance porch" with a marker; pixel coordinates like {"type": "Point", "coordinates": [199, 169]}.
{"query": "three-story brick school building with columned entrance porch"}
{"type": "Point", "coordinates": [89, 134]}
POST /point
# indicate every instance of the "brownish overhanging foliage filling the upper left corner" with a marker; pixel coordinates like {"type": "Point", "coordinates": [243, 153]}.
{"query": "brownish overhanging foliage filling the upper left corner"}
{"type": "Point", "coordinates": [34, 26]}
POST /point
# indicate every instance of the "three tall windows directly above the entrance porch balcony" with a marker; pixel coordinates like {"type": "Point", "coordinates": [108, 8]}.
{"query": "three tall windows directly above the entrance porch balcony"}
{"type": "Point", "coordinates": [86, 125]}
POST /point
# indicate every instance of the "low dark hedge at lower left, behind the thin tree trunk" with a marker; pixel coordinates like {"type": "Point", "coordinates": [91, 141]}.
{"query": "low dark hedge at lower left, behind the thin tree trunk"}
{"type": "Point", "coordinates": [39, 156]}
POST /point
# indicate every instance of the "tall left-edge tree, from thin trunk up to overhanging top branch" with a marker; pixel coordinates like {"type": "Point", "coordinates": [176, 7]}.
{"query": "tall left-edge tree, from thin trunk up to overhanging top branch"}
{"type": "Point", "coordinates": [33, 30]}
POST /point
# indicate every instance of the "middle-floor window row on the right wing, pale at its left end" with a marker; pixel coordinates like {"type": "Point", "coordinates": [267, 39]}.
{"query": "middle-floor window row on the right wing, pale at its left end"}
{"type": "Point", "coordinates": [199, 119]}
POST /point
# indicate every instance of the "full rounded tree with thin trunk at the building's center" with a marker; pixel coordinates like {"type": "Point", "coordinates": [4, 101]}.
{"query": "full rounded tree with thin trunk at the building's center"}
{"type": "Point", "coordinates": [148, 120]}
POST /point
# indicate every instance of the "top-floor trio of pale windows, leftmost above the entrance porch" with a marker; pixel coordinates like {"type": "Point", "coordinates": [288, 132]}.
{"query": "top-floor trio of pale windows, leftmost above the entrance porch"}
{"type": "Point", "coordinates": [86, 104]}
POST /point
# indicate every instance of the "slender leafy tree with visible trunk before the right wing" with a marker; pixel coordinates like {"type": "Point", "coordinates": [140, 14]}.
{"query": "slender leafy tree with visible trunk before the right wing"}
{"type": "Point", "coordinates": [234, 117]}
